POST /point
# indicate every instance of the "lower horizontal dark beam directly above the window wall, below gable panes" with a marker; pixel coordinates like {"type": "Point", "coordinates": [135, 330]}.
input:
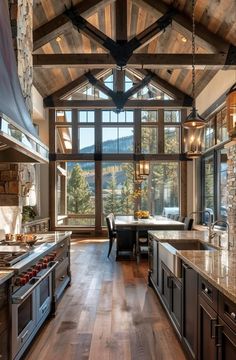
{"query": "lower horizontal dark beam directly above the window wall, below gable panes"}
{"type": "Point", "coordinates": [109, 104]}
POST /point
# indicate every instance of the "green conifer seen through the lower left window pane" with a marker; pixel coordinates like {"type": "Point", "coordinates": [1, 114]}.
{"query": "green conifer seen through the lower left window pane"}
{"type": "Point", "coordinates": [78, 192]}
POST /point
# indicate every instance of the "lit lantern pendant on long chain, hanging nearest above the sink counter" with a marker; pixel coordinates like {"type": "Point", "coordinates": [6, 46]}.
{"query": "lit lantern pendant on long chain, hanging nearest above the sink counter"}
{"type": "Point", "coordinates": [194, 123]}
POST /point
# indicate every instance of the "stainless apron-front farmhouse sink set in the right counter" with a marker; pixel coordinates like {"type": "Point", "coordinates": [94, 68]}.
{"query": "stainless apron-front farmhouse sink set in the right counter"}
{"type": "Point", "coordinates": [168, 255]}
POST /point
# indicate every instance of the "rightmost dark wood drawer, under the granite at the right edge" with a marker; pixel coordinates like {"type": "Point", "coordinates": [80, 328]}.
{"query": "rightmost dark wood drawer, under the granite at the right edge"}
{"type": "Point", "coordinates": [227, 311]}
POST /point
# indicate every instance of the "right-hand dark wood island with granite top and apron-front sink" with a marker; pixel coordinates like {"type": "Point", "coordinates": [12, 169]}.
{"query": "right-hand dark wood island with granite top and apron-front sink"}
{"type": "Point", "coordinates": [200, 299]}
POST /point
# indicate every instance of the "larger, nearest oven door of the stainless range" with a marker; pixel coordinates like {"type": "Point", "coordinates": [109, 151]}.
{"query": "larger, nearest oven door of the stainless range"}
{"type": "Point", "coordinates": [23, 321]}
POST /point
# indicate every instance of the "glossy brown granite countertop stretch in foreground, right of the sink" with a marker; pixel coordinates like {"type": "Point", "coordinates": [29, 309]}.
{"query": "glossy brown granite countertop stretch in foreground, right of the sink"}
{"type": "Point", "coordinates": [218, 267]}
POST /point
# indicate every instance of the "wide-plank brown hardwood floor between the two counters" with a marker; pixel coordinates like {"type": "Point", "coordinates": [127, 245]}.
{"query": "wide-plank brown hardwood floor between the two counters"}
{"type": "Point", "coordinates": [108, 312]}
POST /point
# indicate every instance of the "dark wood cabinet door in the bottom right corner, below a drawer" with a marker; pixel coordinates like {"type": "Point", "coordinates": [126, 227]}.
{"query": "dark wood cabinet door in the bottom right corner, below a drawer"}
{"type": "Point", "coordinates": [225, 341]}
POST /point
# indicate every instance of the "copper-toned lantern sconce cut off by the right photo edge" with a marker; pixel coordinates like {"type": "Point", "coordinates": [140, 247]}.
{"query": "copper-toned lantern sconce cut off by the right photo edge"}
{"type": "Point", "coordinates": [231, 112]}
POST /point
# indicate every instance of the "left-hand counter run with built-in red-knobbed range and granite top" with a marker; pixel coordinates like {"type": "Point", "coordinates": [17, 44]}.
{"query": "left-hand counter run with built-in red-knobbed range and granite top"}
{"type": "Point", "coordinates": [32, 282]}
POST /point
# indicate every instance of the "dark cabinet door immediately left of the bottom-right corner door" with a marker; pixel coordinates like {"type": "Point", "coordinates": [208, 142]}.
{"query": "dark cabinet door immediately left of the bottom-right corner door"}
{"type": "Point", "coordinates": [207, 322]}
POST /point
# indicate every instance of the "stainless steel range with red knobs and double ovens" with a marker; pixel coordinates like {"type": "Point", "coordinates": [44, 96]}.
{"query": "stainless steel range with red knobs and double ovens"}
{"type": "Point", "coordinates": [31, 291]}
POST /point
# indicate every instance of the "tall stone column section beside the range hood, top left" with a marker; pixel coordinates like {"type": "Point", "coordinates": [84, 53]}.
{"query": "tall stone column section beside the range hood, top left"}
{"type": "Point", "coordinates": [21, 15]}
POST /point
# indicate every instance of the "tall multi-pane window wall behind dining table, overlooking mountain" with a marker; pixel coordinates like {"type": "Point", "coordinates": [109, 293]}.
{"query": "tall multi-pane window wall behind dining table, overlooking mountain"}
{"type": "Point", "coordinates": [94, 158]}
